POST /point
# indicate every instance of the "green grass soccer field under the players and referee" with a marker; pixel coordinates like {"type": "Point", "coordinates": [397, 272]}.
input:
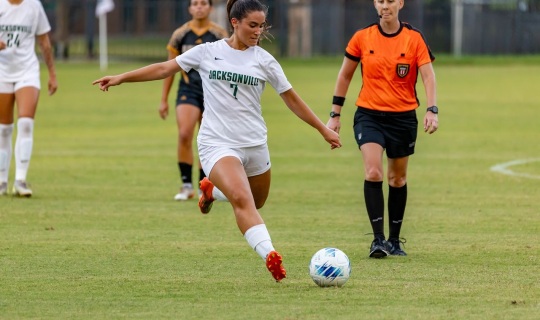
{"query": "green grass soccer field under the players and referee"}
{"type": "Point", "coordinates": [103, 239]}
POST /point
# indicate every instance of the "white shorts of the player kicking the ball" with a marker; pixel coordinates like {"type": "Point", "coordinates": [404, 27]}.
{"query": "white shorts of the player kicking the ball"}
{"type": "Point", "coordinates": [256, 160]}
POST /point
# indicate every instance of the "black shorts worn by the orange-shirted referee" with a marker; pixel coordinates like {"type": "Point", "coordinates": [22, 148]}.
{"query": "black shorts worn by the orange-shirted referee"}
{"type": "Point", "coordinates": [394, 131]}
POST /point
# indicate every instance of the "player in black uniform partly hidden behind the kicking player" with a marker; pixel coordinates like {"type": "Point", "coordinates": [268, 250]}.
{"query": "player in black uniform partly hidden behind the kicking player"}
{"type": "Point", "coordinates": [189, 99]}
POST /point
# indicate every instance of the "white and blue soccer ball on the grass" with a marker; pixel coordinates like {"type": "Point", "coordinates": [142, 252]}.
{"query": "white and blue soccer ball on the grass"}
{"type": "Point", "coordinates": [330, 267]}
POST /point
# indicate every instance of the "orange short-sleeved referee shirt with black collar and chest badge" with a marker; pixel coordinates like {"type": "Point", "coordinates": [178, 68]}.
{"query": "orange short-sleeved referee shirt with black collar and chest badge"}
{"type": "Point", "coordinates": [389, 66]}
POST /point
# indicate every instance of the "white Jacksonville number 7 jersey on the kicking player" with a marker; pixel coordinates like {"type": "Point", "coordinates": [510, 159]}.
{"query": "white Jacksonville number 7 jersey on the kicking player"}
{"type": "Point", "coordinates": [233, 82]}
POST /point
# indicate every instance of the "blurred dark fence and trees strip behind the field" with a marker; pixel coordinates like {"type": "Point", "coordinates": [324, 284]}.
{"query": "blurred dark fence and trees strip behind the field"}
{"type": "Point", "coordinates": [140, 29]}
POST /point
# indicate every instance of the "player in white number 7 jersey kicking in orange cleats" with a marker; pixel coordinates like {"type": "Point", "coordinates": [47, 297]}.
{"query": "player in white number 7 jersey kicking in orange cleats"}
{"type": "Point", "coordinates": [232, 139]}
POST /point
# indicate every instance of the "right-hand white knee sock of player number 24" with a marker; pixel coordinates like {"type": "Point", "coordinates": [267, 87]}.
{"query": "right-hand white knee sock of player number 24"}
{"type": "Point", "coordinates": [23, 147]}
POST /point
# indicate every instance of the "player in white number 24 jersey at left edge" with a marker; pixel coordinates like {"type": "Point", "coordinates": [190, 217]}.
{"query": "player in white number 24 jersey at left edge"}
{"type": "Point", "coordinates": [21, 22]}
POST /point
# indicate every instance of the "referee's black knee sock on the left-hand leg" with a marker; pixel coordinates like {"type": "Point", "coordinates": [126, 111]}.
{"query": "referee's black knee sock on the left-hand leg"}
{"type": "Point", "coordinates": [374, 198]}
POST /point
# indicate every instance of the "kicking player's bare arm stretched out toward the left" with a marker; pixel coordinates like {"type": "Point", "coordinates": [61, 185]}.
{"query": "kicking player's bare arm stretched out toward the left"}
{"type": "Point", "coordinates": [155, 71]}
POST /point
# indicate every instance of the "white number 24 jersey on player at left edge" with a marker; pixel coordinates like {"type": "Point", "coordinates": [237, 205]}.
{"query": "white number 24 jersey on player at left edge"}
{"type": "Point", "coordinates": [19, 26]}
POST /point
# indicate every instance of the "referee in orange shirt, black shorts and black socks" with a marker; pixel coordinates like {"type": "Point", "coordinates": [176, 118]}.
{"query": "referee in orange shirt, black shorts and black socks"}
{"type": "Point", "coordinates": [392, 53]}
